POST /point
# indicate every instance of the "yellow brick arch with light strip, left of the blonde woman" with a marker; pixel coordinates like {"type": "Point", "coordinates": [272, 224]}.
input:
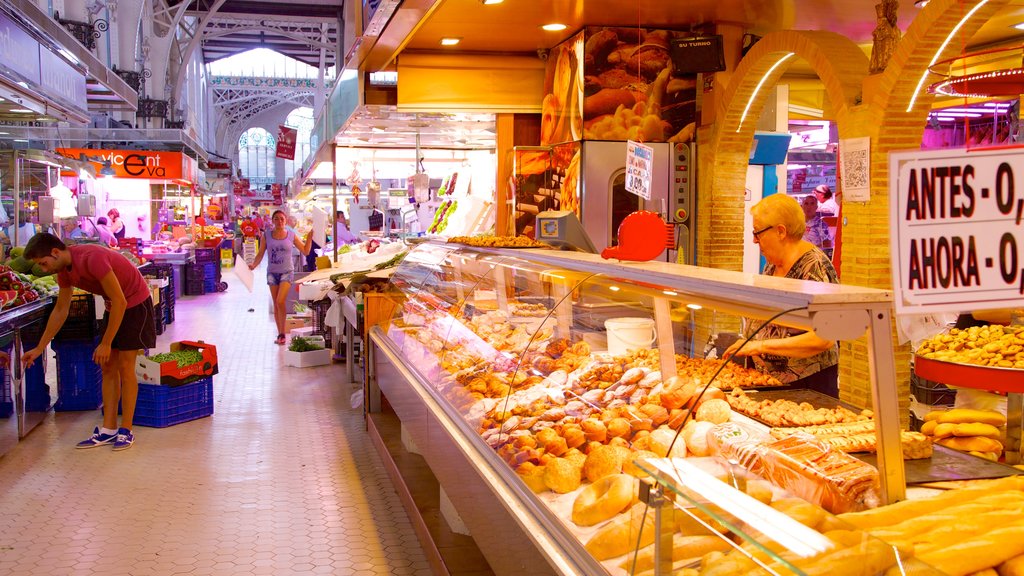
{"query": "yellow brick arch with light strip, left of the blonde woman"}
{"type": "Point", "coordinates": [842, 67]}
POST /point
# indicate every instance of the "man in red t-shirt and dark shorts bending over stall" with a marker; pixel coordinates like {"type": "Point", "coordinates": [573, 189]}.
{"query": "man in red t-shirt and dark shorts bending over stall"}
{"type": "Point", "coordinates": [130, 324]}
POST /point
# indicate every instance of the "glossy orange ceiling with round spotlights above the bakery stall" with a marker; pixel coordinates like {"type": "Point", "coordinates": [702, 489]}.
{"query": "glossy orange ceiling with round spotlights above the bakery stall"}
{"type": "Point", "coordinates": [515, 26]}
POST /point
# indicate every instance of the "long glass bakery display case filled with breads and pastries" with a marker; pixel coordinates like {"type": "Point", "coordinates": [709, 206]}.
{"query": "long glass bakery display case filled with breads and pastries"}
{"type": "Point", "coordinates": [562, 402]}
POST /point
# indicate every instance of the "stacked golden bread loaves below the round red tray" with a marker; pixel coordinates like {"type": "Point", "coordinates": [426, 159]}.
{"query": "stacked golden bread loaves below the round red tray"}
{"type": "Point", "coordinates": [977, 432]}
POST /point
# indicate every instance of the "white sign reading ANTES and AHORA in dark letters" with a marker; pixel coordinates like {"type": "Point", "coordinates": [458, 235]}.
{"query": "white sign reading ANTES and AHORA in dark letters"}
{"type": "Point", "coordinates": [958, 230]}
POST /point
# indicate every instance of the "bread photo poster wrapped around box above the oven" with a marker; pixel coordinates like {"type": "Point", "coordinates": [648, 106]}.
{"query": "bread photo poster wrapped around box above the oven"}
{"type": "Point", "coordinates": [618, 85]}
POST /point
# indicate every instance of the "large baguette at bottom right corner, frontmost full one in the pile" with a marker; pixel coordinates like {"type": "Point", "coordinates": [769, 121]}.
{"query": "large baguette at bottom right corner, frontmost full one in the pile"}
{"type": "Point", "coordinates": [993, 550]}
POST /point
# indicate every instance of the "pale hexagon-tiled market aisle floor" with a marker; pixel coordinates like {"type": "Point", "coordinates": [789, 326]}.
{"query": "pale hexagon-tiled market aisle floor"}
{"type": "Point", "coordinates": [281, 480]}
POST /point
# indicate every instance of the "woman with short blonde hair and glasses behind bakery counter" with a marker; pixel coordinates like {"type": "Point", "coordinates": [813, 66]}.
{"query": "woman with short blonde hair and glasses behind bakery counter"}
{"type": "Point", "coordinates": [797, 358]}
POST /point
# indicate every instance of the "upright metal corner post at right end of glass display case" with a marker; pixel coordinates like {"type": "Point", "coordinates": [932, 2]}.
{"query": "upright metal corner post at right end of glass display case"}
{"type": "Point", "coordinates": [885, 399]}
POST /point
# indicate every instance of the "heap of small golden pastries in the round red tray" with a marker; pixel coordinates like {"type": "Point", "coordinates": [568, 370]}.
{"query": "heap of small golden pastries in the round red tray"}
{"type": "Point", "coordinates": [995, 346]}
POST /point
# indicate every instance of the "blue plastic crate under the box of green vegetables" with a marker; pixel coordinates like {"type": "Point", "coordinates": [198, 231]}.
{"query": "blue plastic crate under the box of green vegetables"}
{"type": "Point", "coordinates": [160, 407]}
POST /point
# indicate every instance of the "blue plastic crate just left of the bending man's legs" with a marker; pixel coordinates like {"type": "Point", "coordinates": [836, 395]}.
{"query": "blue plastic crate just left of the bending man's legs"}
{"type": "Point", "coordinates": [79, 379]}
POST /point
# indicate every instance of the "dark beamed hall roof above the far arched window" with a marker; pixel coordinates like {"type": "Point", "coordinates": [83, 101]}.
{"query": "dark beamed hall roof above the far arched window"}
{"type": "Point", "coordinates": [302, 30]}
